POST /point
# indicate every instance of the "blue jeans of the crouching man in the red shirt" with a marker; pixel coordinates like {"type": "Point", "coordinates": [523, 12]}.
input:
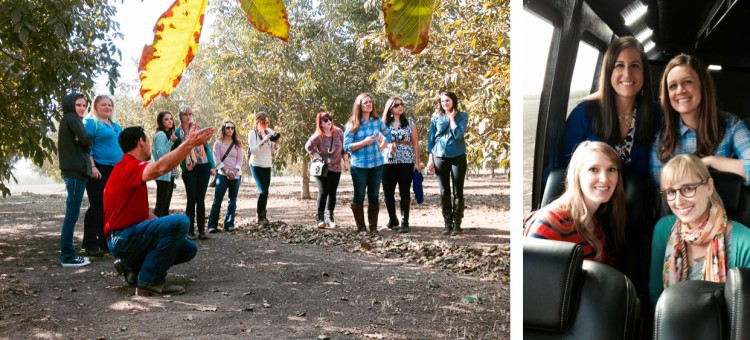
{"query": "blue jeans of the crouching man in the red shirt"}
{"type": "Point", "coordinates": [151, 247]}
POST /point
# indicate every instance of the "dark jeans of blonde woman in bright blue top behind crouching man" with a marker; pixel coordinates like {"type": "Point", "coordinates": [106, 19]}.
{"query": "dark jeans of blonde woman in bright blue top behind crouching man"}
{"type": "Point", "coordinates": [93, 221]}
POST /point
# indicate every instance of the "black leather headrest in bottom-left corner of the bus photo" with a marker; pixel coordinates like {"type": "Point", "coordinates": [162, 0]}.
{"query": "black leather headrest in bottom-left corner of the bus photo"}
{"type": "Point", "coordinates": [551, 276]}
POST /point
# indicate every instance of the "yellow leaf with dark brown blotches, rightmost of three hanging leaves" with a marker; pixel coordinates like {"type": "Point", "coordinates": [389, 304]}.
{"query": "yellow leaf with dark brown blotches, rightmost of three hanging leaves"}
{"type": "Point", "coordinates": [407, 23]}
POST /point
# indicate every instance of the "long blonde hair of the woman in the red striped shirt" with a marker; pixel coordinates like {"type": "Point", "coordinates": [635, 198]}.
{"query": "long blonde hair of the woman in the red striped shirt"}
{"type": "Point", "coordinates": [574, 200]}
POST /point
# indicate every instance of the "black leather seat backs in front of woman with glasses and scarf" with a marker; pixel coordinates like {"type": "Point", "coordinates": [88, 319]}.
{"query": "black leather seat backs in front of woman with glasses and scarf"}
{"type": "Point", "coordinates": [705, 310]}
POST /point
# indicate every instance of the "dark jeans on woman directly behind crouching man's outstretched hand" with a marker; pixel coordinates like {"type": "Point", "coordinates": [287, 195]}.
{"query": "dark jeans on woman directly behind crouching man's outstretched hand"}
{"type": "Point", "coordinates": [196, 184]}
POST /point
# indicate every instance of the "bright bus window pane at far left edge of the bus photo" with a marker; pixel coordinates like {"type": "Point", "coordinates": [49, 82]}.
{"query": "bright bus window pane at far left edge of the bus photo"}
{"type": "Point", "coordinates": [538, 34]}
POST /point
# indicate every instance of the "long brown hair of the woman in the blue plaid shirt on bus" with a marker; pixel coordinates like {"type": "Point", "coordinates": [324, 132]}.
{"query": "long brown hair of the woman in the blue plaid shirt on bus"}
{"type": "Point", "coordinates": [711, 126]}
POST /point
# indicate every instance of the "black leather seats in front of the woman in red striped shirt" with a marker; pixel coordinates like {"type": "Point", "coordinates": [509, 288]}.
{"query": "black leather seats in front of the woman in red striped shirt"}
{"type": "Point", "coordinates": [565, 297]}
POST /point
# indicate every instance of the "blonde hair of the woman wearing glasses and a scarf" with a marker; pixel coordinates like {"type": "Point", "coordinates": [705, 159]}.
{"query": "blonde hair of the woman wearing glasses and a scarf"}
{"type": "Point", "coordinates": [683, 166]}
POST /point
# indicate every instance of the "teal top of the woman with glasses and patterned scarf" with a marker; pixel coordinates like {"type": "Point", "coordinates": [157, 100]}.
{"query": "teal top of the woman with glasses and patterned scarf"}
{"type": "Point", "coordinates": [739, 252]}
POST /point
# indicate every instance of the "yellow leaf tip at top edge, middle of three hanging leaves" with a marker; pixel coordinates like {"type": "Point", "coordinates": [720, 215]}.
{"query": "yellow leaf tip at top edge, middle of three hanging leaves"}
{"type": "Point", "coordinates": [267, 16]}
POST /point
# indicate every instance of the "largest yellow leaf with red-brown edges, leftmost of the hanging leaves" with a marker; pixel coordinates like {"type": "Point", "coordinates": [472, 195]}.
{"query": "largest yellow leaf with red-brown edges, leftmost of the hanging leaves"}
{"type": "Point", "coordinates": [176, 36]}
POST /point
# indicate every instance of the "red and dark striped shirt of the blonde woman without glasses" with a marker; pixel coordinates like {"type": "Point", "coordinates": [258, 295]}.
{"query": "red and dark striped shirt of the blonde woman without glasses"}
{"type": "Point", "coordinates": [558, 225]}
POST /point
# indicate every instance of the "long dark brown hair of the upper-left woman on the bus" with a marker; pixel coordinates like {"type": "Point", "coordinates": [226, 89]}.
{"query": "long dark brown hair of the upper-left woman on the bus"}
{"type": "Point", "coordinates": [606, 124]}
